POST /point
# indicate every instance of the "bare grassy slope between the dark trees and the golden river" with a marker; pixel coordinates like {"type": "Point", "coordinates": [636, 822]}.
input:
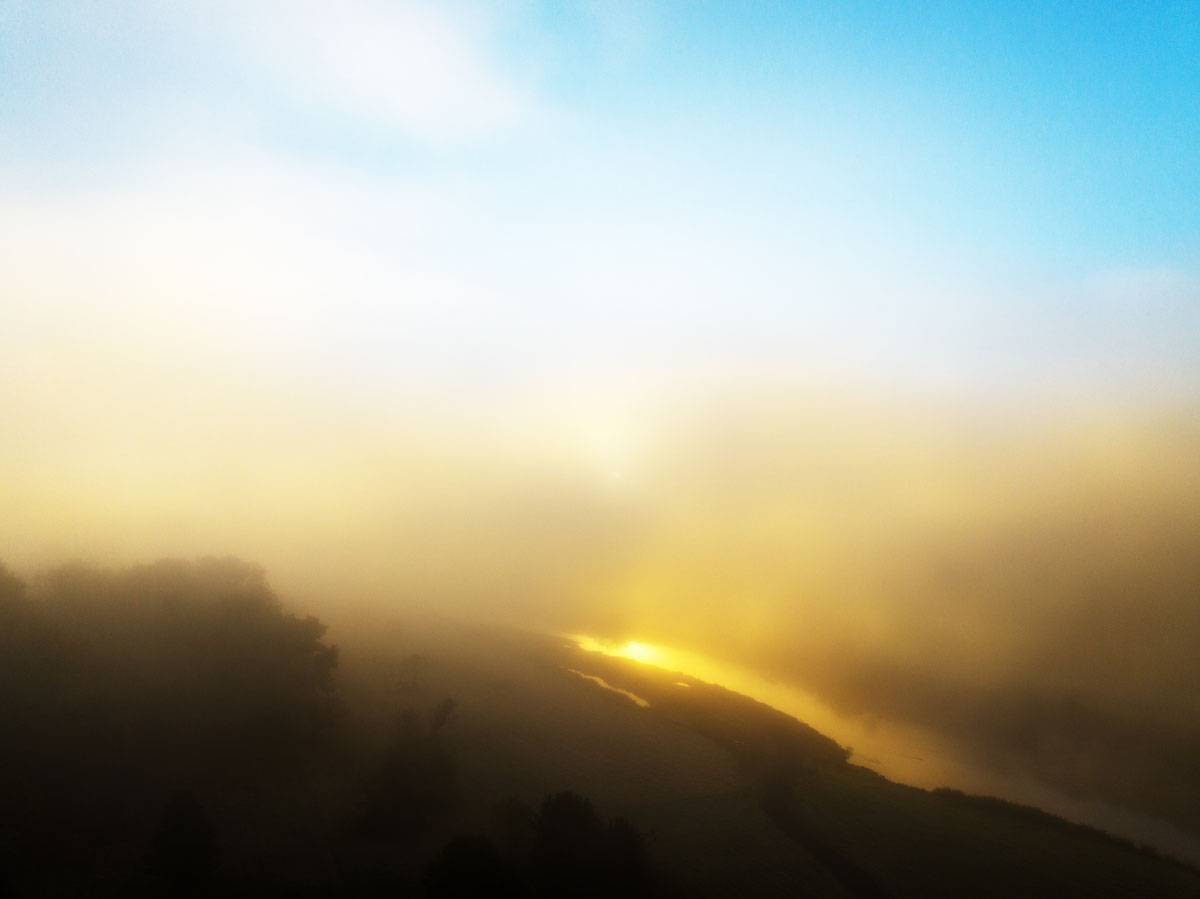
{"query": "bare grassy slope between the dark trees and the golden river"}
{"type": "Point", "coordinates": [739, 799]}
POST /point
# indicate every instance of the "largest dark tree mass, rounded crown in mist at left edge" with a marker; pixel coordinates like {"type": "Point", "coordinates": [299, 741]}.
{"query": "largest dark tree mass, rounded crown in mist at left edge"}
{"type": "Point", "coordinates": [116, 684]}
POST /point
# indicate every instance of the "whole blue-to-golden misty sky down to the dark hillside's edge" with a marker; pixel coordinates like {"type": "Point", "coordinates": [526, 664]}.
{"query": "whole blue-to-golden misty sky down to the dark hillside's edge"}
{"type": "Point", "coordinates": [854, 344]}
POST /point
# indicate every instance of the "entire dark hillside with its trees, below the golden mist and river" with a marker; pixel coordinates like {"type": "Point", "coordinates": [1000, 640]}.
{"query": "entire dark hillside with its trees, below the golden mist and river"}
{"type": "Point", "coordinates": [173, 730]}
